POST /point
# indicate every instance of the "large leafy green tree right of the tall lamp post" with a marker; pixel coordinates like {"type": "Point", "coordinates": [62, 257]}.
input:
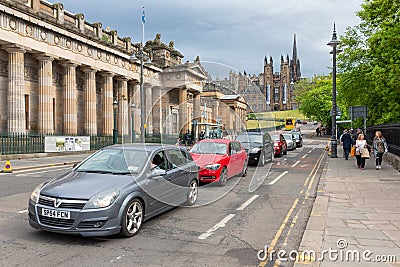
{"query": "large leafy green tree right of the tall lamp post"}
{"type": "Point", "coordinates": [370, 62]}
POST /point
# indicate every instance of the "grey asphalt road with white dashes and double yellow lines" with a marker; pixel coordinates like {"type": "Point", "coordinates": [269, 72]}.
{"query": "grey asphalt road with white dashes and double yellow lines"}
{"type": "Point", "coordinates": [232, 227]}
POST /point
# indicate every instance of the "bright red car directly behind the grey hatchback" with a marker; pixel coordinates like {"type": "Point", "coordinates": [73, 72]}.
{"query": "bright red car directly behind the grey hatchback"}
{"type": "Point", "coordinates": [219, 160]}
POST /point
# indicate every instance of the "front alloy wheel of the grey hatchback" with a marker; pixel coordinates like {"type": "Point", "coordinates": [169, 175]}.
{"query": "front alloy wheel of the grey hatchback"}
{"type": "Point", "coordinates": [132, 218]}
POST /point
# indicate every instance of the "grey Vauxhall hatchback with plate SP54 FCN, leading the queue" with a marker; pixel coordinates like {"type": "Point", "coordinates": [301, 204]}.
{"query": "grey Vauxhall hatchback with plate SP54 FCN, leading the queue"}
{"type": "Point", "coordinates": [115, 190]}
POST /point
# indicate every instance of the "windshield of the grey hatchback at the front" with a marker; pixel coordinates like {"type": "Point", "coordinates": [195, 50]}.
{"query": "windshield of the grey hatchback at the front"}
{"type": "Point", "coordinates": [116, 161]}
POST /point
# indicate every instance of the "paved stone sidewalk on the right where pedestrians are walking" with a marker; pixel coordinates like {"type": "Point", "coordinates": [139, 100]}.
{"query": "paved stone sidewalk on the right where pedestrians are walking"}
{"type": "Point", "coordinates": [356, 211]}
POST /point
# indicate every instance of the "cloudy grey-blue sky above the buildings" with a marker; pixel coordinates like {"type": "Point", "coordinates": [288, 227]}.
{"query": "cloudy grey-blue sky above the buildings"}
{"type": "Point", "coordinates": [235, 33]}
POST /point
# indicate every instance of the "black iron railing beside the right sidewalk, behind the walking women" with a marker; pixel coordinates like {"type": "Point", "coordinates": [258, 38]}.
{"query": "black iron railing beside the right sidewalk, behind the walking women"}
{"type": "Point", "coordinates": [391, 132]}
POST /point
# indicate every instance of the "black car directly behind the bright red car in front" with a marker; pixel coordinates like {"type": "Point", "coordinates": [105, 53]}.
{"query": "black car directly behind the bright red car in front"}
{"type": "Point", "coordinates": [258, 145]}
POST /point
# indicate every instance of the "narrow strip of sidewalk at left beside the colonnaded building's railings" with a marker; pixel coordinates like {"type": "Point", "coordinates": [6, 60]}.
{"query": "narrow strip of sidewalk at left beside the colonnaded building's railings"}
{"type": "Point", "coordinates": [49, 161]}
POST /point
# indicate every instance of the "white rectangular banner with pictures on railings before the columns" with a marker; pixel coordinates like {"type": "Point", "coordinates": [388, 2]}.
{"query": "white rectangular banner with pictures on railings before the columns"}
{"type": "Point", "coordinates": [66, 143]}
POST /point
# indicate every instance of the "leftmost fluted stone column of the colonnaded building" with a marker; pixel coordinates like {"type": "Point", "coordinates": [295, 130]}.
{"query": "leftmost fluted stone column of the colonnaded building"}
{"type": "Point", "coordinates": [16, 109]}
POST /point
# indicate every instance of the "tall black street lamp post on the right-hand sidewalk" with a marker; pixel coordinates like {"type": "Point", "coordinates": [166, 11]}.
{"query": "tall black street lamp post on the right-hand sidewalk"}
{"type": "Point", "coordinates": [334, 43]}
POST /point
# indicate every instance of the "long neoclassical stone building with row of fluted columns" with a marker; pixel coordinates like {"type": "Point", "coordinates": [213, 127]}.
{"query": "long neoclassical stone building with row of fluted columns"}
{"type": "Point", "coordinates": [60, 75]}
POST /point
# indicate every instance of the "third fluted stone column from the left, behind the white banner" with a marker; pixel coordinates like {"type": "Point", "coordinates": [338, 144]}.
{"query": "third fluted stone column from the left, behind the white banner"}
{"type": "Point", "coordinates": [70, 122]}
